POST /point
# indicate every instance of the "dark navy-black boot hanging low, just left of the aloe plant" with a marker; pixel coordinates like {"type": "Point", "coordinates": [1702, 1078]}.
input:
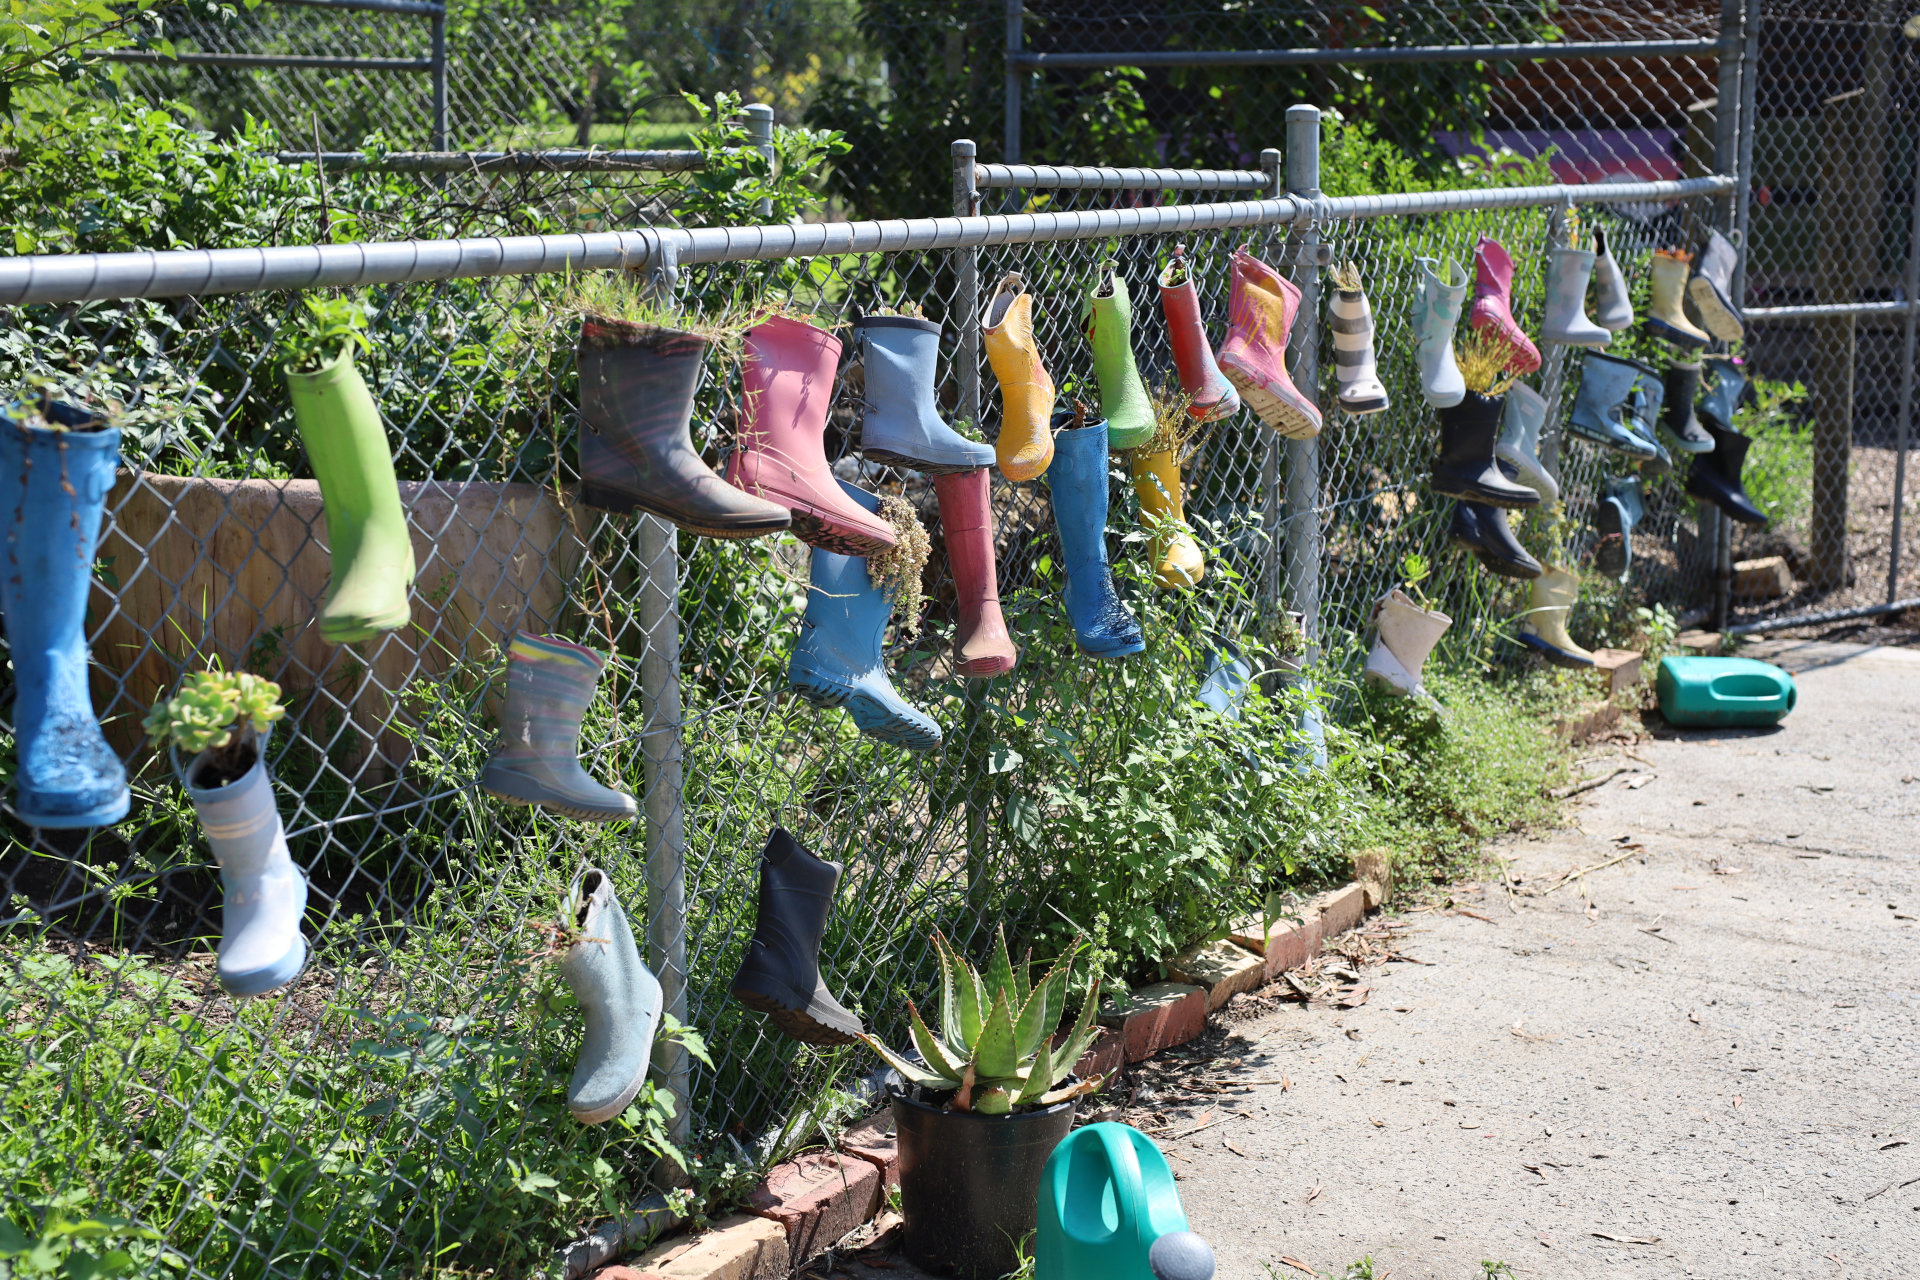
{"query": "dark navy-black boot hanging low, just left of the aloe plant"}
{"type": "Point", "coordinates": [780, 974]}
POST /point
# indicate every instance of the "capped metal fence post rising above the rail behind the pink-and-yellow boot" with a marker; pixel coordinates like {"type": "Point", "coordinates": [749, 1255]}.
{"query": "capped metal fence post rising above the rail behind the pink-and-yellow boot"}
{"type": "Point", "coordinates": [1303, 456]}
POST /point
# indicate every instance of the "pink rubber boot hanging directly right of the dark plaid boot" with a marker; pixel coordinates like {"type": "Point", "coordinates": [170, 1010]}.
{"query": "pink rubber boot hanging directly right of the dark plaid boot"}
{"type": "Point", "coordinates": [780, 456]}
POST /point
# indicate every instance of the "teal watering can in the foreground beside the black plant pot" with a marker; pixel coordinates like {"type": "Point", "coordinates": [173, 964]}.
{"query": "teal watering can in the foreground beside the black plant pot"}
{"type": "Point", "coordinates": [1109, 1212]}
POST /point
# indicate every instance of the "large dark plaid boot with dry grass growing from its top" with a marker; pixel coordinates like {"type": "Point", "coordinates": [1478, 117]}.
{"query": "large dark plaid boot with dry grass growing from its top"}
{"type": "Point", "coordinates": [640, 366]}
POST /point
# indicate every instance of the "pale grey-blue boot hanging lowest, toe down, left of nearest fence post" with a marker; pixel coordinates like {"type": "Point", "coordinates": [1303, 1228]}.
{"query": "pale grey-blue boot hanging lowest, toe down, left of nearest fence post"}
{"type": "Point", "coordinates": [619, 1001]}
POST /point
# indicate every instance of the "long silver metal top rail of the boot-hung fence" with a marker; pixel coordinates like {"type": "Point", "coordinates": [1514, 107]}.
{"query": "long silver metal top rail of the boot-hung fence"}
{"type": "Point", "coordinates": [187, 273]}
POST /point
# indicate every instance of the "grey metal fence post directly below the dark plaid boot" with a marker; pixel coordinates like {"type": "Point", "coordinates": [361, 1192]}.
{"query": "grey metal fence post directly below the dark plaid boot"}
{"type": "Point", "coordinates": [667, 820]}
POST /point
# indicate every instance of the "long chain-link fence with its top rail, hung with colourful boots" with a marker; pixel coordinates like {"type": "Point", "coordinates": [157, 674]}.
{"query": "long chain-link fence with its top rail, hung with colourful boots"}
{"type": "Point", "coordinates": [400, 1104]}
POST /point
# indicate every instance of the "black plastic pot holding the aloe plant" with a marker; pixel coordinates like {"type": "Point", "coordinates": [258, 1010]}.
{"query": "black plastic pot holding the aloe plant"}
{"type": "Point", "coordinates": [971, 1183]}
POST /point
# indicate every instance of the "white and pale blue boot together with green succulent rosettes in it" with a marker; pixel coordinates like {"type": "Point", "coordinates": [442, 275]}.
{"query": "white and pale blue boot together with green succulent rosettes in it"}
{"type": "Point", "coordinates": [222, 723]}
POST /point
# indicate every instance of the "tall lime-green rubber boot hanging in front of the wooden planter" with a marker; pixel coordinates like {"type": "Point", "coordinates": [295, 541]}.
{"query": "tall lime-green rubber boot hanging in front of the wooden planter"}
{"type": "Point", "coordinates": [366, 527]}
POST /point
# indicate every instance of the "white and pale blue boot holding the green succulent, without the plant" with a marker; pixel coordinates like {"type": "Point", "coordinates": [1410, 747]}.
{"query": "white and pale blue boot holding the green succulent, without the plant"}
{"type": "Point", "coordinates": [262, 891]}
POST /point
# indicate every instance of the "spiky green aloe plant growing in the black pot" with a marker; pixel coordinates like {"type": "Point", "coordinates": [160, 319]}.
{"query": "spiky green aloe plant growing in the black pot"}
{"type": "Point", "coordinates": [996, 1047]}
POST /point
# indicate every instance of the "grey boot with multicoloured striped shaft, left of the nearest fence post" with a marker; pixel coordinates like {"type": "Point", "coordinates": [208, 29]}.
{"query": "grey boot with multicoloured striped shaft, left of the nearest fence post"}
{"type": "Point", "coordinates": [550, 684]}
